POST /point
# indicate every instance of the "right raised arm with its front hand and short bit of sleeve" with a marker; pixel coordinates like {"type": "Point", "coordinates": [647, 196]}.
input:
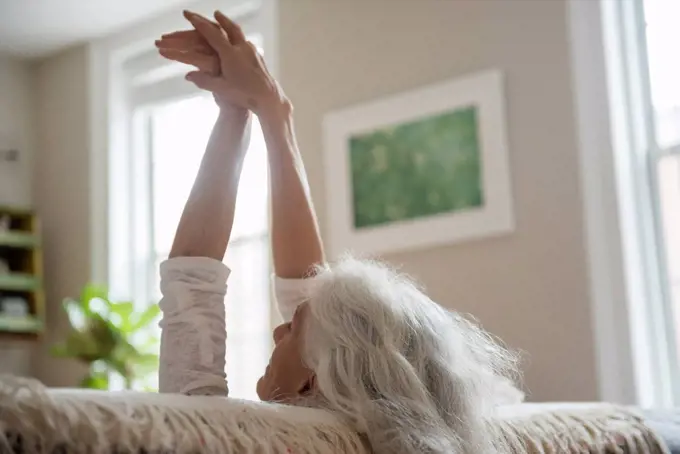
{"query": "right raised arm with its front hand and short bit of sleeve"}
{"type": "Point", "coordinates": [246, 82]}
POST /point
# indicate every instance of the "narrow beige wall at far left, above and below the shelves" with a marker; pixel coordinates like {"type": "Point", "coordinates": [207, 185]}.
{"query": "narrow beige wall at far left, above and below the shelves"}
{"type": "Point", "coordinates": [17, 129]}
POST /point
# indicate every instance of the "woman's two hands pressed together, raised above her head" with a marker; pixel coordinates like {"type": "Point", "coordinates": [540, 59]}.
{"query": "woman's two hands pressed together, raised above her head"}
{"type": "Point", "coordinates": [231, 67]}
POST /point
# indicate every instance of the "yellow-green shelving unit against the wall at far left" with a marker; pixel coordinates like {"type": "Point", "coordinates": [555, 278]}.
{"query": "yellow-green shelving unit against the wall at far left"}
{"type": "Point", "coordinates": [21, 271]}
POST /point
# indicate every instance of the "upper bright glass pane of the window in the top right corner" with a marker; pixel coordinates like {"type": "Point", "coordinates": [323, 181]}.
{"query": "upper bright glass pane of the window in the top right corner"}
{"type": "Point", "coordinates": [663, 36]}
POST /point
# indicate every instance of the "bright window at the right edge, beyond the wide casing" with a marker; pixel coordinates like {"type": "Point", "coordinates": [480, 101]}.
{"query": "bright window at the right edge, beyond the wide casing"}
{"type": "Point", "coordinates": [646, 127]}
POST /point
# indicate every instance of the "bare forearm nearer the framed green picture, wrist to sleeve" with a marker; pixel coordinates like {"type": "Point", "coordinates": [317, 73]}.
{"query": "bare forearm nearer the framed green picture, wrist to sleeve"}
{"type": "Point", "coordinates": [296, 242]}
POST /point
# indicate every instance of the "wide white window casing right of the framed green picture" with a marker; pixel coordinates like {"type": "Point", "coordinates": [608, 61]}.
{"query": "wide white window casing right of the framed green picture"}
{"type": "Point", "coordinates": [635, 344]}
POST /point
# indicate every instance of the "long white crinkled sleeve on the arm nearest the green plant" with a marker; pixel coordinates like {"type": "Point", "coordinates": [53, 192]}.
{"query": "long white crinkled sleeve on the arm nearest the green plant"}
{"type": "Point", "coordinates": [193, 332]}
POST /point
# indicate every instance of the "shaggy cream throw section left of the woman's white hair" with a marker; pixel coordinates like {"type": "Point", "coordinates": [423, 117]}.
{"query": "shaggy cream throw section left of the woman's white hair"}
{"type": "Point", "coordinates": [35, 420]}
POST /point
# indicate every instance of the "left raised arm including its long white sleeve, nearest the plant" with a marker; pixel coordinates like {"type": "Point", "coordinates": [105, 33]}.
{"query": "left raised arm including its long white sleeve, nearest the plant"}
{"type": "Point", "coordinates": [193, 280]}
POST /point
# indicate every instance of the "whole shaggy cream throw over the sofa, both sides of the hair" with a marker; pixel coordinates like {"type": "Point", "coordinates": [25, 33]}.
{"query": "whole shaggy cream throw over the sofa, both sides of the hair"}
{"type": "Point", "coordinates": [34, 419]}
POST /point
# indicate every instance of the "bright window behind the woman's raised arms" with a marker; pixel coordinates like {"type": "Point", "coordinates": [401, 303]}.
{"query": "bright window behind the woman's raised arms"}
{"type": "Point", "coordinates": [166, 123]}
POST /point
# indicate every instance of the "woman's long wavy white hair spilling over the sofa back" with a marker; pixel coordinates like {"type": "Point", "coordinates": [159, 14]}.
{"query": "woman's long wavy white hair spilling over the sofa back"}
{"type": "Point", "coordinates": [406, 373]}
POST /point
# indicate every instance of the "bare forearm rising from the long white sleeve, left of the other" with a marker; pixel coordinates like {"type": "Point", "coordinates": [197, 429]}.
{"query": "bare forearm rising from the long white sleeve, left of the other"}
{"type": "Point", "coordinates": [205, 225]}
